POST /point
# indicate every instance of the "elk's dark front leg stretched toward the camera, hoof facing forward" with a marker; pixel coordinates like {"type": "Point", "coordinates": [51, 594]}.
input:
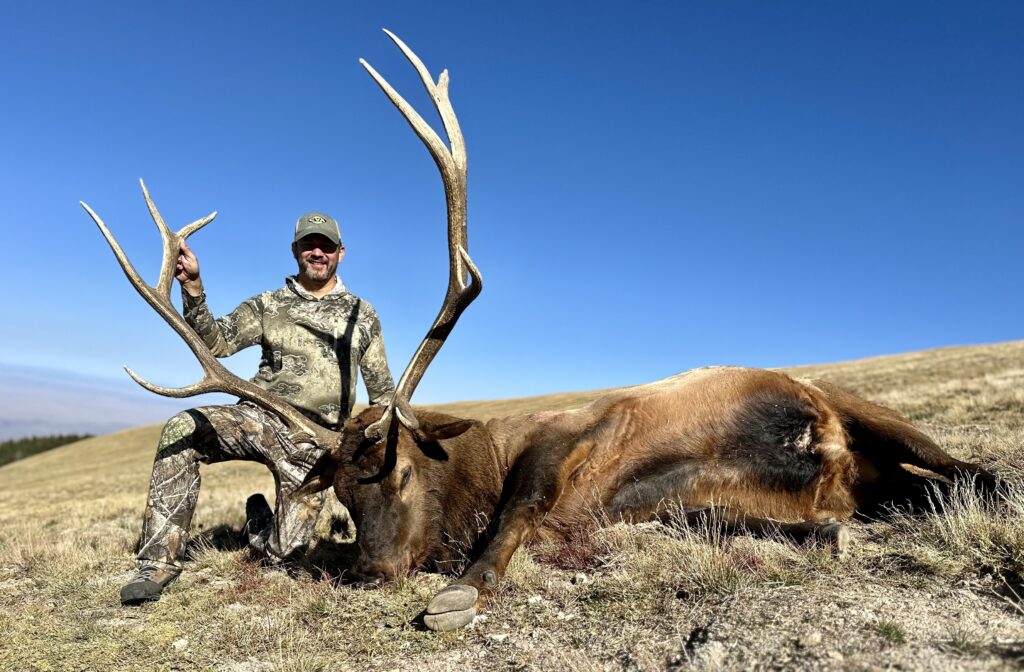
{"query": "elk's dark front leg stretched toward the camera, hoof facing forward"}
{"type": "Point", "coordinates": [536, 483]}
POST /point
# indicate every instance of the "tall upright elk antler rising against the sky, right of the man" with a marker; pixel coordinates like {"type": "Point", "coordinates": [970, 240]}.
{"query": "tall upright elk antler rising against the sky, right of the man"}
{"type": "Point", "coordinates": [461, 292]}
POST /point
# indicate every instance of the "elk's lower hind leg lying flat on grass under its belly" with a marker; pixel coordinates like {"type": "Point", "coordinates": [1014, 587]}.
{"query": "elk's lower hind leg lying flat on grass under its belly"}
{"type": "Point", "coordinates": [828, 532]}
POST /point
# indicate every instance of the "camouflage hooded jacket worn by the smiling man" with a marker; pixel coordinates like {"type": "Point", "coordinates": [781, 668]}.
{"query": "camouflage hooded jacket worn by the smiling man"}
{"type": "Point", "coordinates": [312, 347]}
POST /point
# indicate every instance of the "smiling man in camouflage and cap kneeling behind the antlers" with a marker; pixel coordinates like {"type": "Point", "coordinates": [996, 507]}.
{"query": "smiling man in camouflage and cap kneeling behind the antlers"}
{"type": "Point", "coordinates": [315, 334]}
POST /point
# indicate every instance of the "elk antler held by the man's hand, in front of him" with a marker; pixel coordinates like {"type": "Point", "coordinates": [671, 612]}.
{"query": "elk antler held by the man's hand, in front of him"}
{"type": "Point", "coordinates": [216, 377]}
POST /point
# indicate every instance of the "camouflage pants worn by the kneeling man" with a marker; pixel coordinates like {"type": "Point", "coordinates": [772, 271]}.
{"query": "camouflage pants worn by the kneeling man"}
{"type": "Point", "coordinates": [218, 434]}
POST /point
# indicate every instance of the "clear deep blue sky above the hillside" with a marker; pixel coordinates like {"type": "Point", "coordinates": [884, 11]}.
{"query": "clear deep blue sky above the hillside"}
{"type": "Point", "coordinates": [653, 187]}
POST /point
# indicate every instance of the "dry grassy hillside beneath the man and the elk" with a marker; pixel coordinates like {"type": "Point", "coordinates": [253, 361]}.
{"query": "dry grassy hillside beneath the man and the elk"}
{"type": "Point", "coordinates": [938, 592]}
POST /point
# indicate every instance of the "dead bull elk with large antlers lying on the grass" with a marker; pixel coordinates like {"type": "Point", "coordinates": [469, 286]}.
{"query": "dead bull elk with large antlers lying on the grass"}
{"type": "Point", "coordinates": [762, 451]}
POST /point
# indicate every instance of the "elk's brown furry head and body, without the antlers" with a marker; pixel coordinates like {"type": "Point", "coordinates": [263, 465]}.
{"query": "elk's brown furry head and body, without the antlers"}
{"type": "Point", "coordinates": [758, 445]}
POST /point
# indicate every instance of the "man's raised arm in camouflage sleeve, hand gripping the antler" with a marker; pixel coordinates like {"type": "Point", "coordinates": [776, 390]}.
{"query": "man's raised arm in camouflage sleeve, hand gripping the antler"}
{"type": "Point", "coordinates": [238, 330]}
